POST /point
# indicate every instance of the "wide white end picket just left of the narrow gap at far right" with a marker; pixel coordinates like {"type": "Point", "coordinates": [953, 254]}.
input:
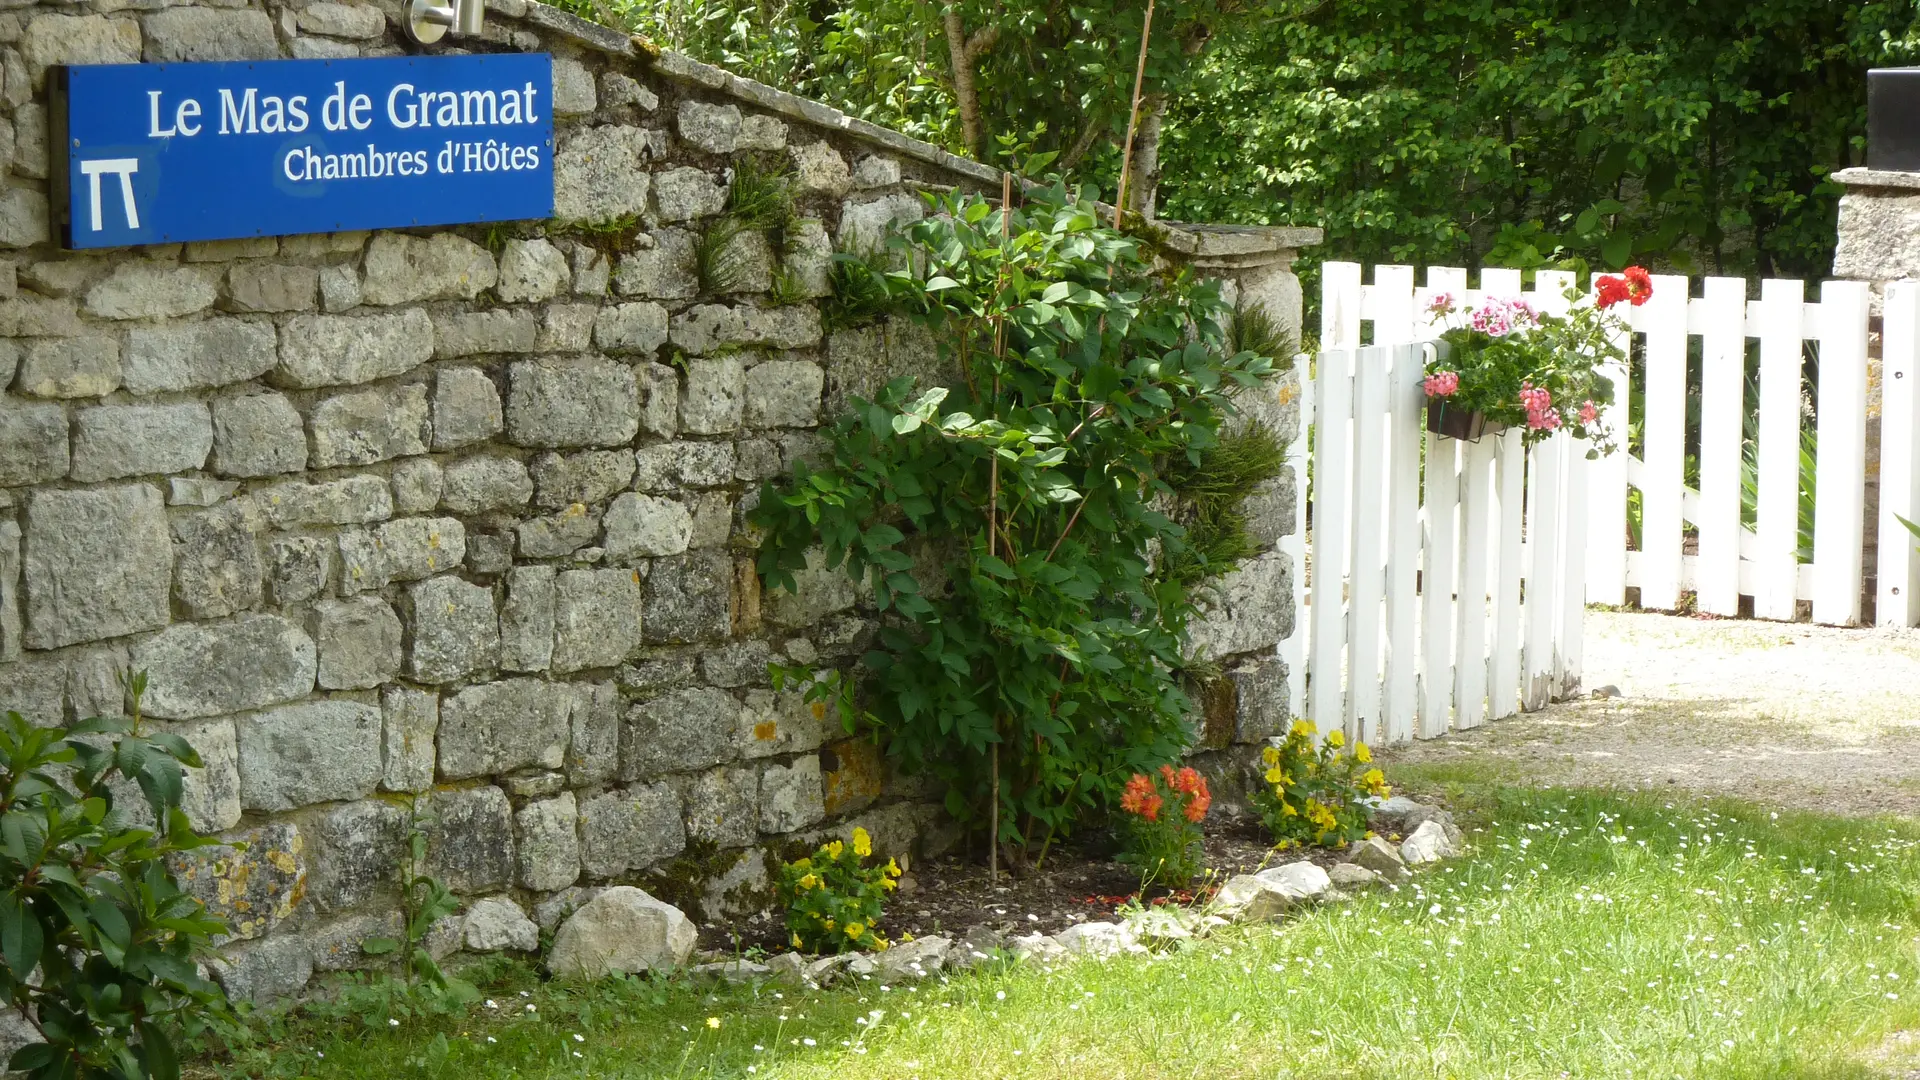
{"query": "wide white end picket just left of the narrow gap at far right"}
{"type": "Point", "coordinates": [1840, 470]}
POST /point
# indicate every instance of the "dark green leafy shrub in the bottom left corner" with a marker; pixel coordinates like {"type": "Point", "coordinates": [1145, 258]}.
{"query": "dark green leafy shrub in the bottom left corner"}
{"type": "Point", "coordinates": [97, 941]}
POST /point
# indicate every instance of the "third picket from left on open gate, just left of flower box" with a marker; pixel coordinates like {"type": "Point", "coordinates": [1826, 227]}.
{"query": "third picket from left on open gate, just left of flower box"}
{"type": "Point", "coordinates": [1404, 541]}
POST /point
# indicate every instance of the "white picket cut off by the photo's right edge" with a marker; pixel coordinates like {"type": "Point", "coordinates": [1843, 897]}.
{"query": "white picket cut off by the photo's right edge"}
{"type": "Point", "coordinates": [1898, 602]}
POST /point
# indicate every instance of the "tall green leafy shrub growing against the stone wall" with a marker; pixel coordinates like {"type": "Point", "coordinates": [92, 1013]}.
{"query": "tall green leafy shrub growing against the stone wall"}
{"type": "Point", "coordinates": [1045, 668]}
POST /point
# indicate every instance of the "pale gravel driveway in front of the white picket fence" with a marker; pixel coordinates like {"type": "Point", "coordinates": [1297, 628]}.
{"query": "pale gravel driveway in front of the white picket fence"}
{"type": "Point", "coordinates": [1790, 714]}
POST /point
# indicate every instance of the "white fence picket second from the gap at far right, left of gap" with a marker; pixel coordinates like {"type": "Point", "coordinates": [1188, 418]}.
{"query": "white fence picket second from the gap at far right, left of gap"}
{"type": "Point", "coordinates": [1781, 320]}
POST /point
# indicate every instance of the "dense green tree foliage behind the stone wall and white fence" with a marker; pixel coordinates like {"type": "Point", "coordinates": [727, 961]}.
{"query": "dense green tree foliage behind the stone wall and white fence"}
{"type": "Point", "coordinates": [1683, 134]}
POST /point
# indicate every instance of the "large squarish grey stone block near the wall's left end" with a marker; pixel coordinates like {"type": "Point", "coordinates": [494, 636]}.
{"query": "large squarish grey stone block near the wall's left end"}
{"type": "Point", "coordinates": [97, 564]}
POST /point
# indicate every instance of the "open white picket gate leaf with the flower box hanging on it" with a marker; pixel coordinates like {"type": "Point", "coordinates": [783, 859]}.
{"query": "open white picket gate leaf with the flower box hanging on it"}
{"type": "Point", "coordinates": [1447, 577]}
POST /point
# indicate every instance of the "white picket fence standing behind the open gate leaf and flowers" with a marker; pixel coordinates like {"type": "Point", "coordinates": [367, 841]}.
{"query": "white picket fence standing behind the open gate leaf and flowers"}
{"type": "Point", "coordinates": [1731, 558]}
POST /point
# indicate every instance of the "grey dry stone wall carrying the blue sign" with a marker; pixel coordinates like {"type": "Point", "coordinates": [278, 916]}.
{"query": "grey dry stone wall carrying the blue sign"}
{"type": "Point", "coordinates": [446, 528]}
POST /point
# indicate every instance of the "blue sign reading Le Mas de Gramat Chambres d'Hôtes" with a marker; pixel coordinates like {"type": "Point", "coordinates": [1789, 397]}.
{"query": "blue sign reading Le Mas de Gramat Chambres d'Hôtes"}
{"type": "Point", "coordinates": [166, 153]}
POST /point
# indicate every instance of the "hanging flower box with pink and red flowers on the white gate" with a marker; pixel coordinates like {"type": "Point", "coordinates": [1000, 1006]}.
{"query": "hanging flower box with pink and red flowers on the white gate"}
{"type": "Point", "coordinates": [1504, 364]}
